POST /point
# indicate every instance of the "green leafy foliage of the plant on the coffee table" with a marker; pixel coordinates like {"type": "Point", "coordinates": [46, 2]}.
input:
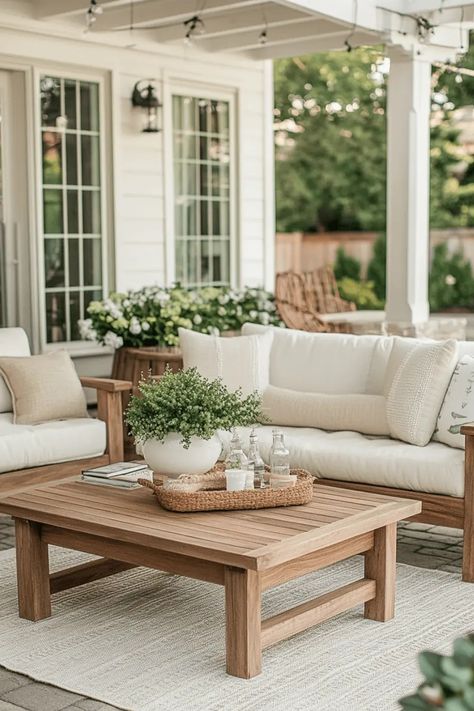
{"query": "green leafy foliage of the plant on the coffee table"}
{"type": "Point", "coordinates": [188, 403]}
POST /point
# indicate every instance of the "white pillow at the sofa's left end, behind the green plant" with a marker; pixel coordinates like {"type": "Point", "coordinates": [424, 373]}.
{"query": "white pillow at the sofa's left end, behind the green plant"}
{"type": "Point", "coordinates": [241, 361]}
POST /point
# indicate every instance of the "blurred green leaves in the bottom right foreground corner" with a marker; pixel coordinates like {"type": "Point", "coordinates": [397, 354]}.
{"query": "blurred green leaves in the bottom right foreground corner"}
{"type": "Point", "coordinates": [449, 680]}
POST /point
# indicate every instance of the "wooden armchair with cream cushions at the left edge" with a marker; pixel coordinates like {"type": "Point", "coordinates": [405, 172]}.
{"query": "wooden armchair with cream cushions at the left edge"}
{"type": "Point", "coordinates": [36, 453]}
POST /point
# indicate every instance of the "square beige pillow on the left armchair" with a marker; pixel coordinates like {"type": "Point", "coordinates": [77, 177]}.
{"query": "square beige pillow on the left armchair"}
{"type": "Point", "coordinates": [43, 388]}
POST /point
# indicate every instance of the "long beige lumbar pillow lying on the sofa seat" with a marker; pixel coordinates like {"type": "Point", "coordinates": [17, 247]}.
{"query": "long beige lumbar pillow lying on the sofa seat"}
{"type": "Point", "coordinates": [355, 412]}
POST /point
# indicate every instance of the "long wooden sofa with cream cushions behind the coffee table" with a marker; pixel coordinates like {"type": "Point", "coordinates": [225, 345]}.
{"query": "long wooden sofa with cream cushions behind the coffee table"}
{"type": "Point", "coordinates": [442, 477]}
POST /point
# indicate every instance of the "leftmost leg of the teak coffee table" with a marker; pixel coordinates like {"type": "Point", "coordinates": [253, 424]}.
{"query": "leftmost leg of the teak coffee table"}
{"type": "Point", "coordinates": [32, 569]}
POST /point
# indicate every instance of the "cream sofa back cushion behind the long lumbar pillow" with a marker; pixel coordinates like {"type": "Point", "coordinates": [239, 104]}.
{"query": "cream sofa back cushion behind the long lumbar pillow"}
{"type": "Point", "coordinates": [330, 363]}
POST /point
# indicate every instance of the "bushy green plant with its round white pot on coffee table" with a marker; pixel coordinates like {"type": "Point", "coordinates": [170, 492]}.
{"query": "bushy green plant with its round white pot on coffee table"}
{"type": "Point", "coordinates": [175, 420]}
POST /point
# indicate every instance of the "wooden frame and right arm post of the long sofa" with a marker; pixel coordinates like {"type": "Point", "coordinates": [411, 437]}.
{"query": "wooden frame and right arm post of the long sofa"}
{"type": "Point", "coordinates": [438, 509]}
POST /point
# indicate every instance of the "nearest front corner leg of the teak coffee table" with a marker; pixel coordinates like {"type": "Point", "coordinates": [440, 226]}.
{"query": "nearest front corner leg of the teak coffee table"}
{"type": "Point", "coordinates": [243, 622]}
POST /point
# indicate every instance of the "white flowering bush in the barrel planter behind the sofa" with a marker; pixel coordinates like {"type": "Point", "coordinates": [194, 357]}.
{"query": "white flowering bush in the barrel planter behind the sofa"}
{"type": "Point", "coordinates": [152, 315]}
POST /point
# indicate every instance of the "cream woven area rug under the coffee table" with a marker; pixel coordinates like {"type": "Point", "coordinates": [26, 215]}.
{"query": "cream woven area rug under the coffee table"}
{"type": "Point", "coordinates": [147, 641]}
